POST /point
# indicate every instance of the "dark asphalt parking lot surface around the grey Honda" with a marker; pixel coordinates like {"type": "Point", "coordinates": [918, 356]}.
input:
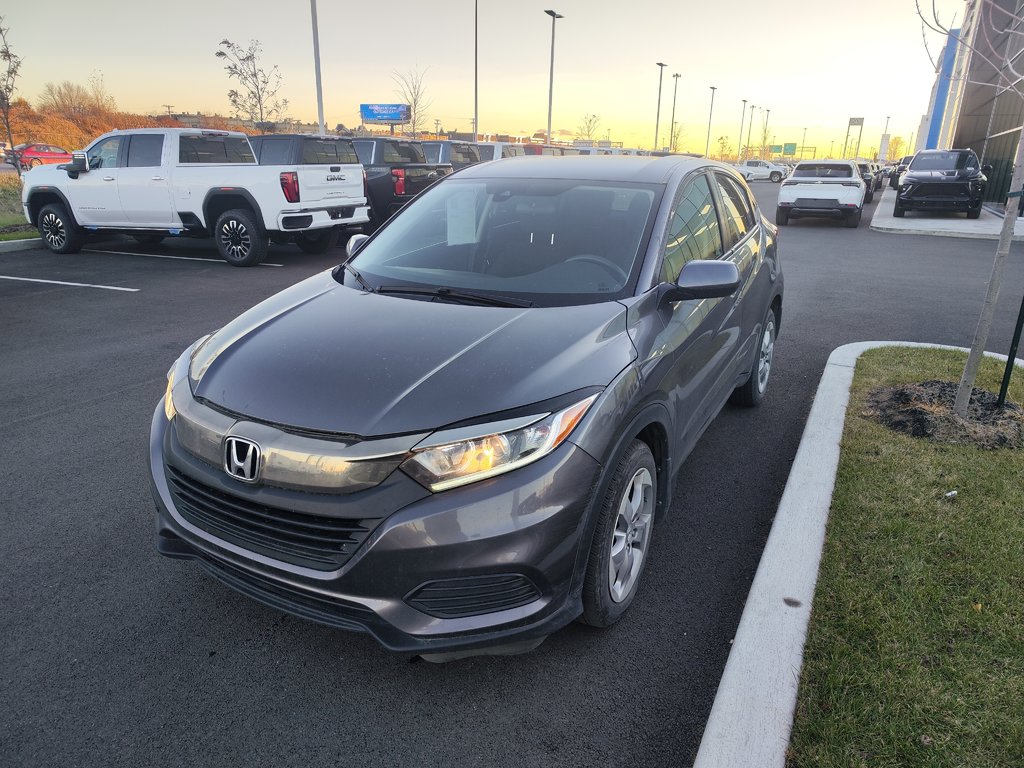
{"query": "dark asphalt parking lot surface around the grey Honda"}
{"type": "Point", "coordinates": [114, 656]}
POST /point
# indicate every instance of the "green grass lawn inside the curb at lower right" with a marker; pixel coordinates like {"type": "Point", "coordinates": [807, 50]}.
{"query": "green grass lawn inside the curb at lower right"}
{"type": "Point", "coordinates": [915, 656]}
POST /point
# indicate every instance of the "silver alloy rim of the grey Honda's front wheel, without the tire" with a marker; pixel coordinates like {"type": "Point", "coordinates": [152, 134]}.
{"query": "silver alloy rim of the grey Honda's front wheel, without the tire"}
{"type": "Point", "coordinates": [631, 535]}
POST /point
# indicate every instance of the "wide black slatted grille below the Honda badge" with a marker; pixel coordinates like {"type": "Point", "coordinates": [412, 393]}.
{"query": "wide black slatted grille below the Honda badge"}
{"type": "Point", "coordinates": [297, 538]}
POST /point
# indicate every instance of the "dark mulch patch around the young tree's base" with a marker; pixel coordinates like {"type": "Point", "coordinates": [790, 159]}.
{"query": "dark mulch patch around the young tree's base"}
{"type": "Point", "coordinates": [926, 410]}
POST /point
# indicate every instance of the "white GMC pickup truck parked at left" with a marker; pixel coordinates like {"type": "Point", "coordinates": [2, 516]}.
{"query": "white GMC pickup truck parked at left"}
{"type": "Point", "coordinates": [152, 184]}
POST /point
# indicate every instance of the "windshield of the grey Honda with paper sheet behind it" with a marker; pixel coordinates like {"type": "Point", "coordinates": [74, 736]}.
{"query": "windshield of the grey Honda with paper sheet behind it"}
{"type": "Point", "coordinates": [550, 242]}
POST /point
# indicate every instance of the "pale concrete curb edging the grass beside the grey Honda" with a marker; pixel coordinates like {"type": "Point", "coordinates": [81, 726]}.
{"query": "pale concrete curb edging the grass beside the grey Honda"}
{"type": "Point", "coordinates": [752, 716]}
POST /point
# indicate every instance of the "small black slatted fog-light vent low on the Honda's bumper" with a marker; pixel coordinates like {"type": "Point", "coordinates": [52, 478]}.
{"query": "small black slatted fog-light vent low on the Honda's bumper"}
{"type": "Point", "coordinates": [456, 599]}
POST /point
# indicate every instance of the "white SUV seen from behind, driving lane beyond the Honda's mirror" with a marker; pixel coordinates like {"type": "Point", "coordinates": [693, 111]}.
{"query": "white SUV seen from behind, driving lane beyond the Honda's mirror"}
{"type": "Point", "coordinates": [823, 188]}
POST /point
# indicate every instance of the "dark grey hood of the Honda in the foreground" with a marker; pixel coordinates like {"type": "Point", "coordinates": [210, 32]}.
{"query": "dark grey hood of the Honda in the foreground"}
{"type": "Point", "coordinates": [324, 357]}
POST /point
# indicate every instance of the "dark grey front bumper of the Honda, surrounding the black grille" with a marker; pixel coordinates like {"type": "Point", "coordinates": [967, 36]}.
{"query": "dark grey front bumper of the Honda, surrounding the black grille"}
{"type": "Point", "coordinates": [429, 575]}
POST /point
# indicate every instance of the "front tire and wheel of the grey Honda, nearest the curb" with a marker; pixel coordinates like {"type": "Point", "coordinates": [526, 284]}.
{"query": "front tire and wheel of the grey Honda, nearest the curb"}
{"type": "Point", "coordinates": [622, 540]}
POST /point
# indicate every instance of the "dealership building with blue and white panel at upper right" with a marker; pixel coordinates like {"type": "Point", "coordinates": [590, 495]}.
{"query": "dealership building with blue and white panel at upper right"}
{"type": "Point", "coordinates": [972, 106]}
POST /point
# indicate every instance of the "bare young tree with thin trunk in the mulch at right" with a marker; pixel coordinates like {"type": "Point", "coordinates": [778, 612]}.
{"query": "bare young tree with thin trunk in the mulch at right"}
{"type": "Point", "coordinates": [1010, 80]}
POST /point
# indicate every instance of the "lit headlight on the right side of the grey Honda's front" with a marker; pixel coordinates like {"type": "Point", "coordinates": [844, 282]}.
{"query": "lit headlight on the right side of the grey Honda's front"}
{"type": "Point", "coordinates": [440, 467]}
